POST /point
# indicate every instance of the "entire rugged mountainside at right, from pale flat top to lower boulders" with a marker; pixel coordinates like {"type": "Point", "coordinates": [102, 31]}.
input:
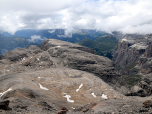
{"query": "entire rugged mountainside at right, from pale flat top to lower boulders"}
{"type": "Point", "coordinates": [133, 59]}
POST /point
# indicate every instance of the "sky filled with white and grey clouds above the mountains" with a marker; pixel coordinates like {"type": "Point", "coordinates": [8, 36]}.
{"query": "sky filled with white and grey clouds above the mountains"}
{"type": "Point", "coordinates": [127, 16]}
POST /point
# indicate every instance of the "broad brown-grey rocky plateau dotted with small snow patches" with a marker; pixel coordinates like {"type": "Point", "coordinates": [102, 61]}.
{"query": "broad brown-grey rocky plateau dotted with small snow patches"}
{"type": "Point", "coordinates": [57, 77]}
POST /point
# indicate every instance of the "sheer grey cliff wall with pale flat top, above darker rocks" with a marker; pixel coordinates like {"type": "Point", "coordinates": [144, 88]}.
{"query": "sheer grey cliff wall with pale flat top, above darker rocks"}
{"type": "Point", "coordinates": [130, 49]}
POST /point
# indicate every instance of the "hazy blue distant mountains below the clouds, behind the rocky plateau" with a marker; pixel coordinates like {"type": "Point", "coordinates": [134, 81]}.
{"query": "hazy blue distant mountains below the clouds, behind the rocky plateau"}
{"type": "Point", "coordinates": [24, 38]}
